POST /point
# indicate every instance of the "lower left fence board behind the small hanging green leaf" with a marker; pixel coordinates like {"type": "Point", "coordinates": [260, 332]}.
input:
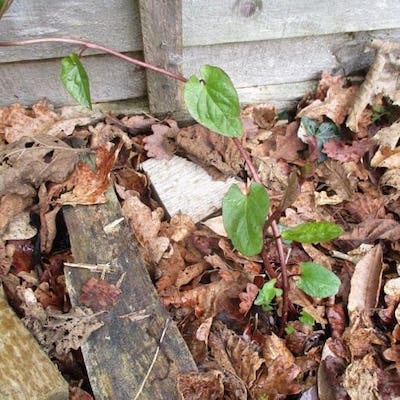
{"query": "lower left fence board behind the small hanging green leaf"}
{"type": "Point", "coordinates": [110, 79]}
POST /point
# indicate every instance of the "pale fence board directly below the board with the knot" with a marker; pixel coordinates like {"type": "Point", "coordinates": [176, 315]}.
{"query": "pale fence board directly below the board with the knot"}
{"type": "Point", "coordinates": [283, 61]}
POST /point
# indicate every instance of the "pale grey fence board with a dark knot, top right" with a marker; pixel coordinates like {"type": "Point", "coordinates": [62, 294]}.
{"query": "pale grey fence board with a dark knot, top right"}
{"type": "Point", "coordinates": [229, 21]}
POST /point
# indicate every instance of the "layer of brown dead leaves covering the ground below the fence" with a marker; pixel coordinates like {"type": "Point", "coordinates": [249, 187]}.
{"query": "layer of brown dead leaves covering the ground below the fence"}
{"type": "Point", "coordinates": [350, 350]}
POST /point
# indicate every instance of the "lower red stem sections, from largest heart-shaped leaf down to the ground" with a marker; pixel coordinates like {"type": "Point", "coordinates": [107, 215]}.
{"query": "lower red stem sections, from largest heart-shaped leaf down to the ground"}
{"type": "Point", "coordinates": [275, 231]}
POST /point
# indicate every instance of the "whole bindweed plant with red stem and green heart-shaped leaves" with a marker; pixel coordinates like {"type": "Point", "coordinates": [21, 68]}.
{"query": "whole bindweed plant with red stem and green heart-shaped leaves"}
{"type": "Point", "coordinates": [212, 101]}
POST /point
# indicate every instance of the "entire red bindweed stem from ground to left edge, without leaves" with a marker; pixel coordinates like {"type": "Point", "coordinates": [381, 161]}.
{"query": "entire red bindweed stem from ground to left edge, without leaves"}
{"type": "Point", "coordinates": [242, 150]}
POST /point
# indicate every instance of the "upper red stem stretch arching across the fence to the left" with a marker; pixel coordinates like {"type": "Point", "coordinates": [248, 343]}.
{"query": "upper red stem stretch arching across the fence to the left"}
{"type": "Point", "coordinates": [95, 46]}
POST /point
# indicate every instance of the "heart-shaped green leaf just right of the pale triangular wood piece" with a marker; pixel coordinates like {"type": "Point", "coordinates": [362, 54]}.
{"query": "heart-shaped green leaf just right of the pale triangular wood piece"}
{"type": "Point", "coordinates": [244, 217]}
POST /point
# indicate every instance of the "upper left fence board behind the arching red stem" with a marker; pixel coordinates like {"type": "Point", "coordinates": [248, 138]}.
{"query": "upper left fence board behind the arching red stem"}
{"type": "Point", "coordinates": [113, 23]}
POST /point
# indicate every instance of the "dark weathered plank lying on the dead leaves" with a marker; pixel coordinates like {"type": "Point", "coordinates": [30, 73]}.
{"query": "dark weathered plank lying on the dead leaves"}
{"type": "Point", "coordinates": [119, 355]}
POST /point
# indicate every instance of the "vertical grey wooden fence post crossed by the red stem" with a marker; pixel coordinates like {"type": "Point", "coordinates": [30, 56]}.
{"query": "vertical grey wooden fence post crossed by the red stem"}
{"type": "Point", "coordinates": [161, 22]}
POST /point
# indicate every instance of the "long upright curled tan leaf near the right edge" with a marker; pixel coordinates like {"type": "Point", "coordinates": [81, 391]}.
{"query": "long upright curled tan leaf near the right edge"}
{"type": "Point", "coordinates": [365, 287]}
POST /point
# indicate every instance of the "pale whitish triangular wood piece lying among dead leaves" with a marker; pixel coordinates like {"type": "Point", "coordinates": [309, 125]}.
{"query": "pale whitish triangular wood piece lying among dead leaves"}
{"type": "Point", "coordinates": [185, 187]}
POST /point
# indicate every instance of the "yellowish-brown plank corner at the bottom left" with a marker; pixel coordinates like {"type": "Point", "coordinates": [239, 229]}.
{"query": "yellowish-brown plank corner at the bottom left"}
{"type": "Point", "coordinates": [26, 371]}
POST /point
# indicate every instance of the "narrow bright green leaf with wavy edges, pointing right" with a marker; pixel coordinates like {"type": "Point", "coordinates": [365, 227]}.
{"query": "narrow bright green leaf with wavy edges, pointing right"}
{"type": "Point", "coordinates": [312, 232]}
